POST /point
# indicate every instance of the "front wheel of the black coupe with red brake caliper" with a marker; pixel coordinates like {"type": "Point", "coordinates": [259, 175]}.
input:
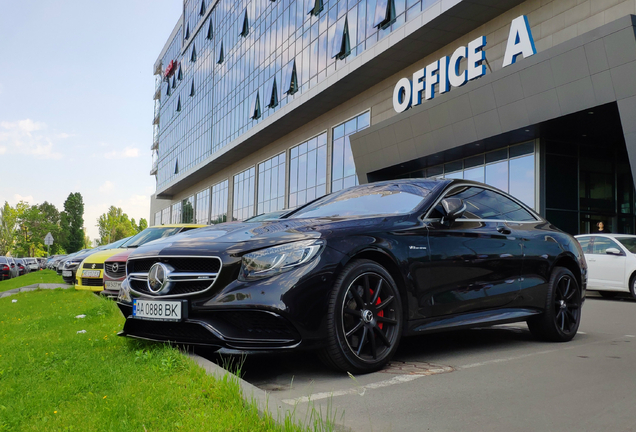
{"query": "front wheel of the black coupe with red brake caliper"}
{"type": "Point", "coordinates": [364, 319]}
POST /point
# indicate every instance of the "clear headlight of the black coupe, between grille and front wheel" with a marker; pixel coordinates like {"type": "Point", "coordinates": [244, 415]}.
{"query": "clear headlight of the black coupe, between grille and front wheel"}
{"type": "Point", "coordinates": [278, 259]}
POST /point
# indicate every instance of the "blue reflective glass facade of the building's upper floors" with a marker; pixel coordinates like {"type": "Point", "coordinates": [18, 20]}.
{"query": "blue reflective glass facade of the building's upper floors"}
{"type": "Point", "coordinates": [286, 51]}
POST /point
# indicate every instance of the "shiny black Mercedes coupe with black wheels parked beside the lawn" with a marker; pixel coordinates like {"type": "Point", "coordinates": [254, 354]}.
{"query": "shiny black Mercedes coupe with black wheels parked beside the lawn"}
{"type": "Point", "coordinates": [352, 272]}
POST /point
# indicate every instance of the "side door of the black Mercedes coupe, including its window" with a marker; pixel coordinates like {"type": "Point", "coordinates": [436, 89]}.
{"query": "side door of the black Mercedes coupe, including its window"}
{"type": "Point", "coordinates": [474, 262]}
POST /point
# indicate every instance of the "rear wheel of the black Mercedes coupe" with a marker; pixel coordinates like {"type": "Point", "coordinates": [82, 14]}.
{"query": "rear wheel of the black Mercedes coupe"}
{"type": "Point", "coordinates": [562, 314]}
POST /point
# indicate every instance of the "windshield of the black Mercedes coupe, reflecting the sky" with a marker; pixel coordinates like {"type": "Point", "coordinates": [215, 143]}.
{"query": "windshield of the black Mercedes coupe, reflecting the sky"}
{"type": "Point", "coordinates": [368, 200]}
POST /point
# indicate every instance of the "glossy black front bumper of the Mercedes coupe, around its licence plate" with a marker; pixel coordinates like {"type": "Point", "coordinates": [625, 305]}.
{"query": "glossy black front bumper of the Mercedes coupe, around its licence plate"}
{"type": "Point", "coordinates": [280, 312]}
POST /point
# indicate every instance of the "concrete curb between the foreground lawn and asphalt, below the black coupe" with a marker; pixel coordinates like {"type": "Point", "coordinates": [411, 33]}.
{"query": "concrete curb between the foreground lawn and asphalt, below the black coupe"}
{"type": "Point", "coordinates": [265, 401]}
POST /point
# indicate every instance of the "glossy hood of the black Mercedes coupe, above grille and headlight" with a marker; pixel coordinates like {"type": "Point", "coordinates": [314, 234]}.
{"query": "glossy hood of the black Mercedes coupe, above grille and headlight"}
{"type": "Point", "coordinates": [237, 238]}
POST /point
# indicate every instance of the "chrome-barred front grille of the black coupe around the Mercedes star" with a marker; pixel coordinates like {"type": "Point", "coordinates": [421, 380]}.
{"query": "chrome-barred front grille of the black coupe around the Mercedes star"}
{"type": "Point", "coordinates": [190, 275]}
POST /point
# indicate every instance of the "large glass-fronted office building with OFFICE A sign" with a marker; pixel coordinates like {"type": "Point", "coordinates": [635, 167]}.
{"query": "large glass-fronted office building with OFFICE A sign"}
{"type": "Point", "coordinates": [265, 105]}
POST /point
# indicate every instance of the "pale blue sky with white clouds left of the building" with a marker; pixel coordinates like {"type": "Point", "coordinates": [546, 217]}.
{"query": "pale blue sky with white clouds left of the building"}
{"type": "Point", "coordinates": [76, 108]}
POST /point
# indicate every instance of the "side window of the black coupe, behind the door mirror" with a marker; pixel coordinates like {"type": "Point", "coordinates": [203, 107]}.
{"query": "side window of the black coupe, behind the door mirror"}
{"type": "Point", "coordinates": [486, 204]}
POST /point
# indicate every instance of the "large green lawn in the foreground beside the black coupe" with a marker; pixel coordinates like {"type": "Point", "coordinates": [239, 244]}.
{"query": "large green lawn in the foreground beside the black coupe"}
{"type": "Point", "coordinates": [53, 378]}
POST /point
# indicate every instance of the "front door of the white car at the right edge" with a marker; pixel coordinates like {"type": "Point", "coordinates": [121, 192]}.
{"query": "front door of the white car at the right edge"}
{"type": "Point", "coordinates": [606, 271]}
